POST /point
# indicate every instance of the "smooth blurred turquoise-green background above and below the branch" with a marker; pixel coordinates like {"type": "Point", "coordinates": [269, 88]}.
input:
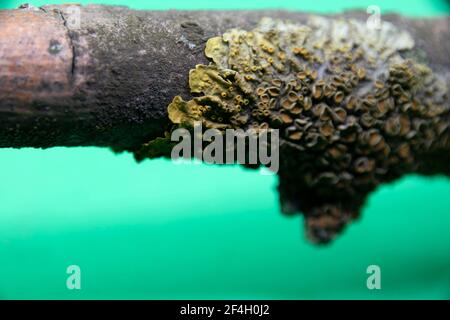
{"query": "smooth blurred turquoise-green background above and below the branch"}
{"type": "Point", "coordinates": [160, 230]}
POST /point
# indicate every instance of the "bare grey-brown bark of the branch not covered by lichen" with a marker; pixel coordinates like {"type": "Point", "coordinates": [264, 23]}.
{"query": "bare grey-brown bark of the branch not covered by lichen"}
{"type": "Point", "coordinates": [108, 82]}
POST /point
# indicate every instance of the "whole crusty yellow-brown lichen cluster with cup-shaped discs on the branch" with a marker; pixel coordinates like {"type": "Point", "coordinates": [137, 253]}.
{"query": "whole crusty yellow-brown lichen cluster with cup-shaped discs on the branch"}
{"type": "Point", "coordinates": [352, 111]}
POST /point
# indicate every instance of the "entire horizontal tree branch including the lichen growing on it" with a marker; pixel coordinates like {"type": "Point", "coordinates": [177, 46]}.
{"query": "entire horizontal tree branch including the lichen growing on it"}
{"type": "Point", "coordinates": [346, 127]}
